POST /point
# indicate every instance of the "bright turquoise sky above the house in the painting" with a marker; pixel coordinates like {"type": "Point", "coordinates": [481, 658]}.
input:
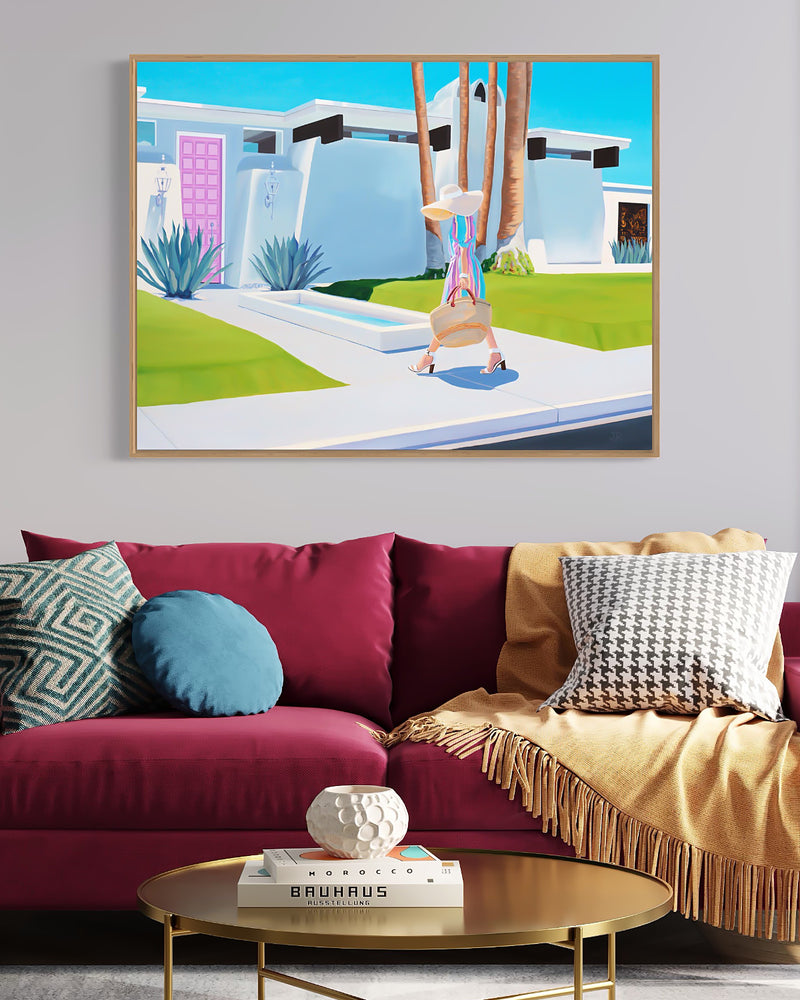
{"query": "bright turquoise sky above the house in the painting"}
{"type": "Point", "coordinates": [609, 98]}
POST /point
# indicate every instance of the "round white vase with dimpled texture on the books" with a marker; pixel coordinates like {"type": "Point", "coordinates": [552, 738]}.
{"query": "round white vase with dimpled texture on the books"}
{"type": "Point", "coordinates": [357, 821]}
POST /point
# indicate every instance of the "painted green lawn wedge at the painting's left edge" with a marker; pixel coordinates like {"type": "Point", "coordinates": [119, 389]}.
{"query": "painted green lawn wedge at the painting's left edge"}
{"type": "Point", "coordinates": [184, 356]}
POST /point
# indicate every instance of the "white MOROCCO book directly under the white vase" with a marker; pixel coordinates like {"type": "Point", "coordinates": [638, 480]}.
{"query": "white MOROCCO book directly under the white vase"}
{"type": "Point", "coordinates": [405, 863]}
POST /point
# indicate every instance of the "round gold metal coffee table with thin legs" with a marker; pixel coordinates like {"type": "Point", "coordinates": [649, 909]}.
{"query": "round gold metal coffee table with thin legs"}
{"type": "Point", "coordinates": [509, 899]}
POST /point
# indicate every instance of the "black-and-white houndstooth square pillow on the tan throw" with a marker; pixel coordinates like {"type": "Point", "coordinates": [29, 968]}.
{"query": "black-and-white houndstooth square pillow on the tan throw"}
{"type": "Point", "coordinates": [676, 632]}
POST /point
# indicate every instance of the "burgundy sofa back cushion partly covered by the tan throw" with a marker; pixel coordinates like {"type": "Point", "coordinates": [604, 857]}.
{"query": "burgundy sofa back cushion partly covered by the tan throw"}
{"type": "Point", "coordinates": [449, 622]}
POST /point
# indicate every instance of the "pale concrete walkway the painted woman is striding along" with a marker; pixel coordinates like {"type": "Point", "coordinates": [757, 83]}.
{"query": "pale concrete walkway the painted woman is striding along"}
{"type": "Point", "coordinates": [548, 385]}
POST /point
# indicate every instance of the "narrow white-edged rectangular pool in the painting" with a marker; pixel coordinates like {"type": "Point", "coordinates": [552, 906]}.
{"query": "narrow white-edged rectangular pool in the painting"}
{"type": "Point", "coordinates": [381, 328]}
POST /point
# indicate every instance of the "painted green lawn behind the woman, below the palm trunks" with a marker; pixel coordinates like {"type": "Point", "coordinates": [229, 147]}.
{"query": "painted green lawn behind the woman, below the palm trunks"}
{"type": "Point", "coordinates": [602, 311]}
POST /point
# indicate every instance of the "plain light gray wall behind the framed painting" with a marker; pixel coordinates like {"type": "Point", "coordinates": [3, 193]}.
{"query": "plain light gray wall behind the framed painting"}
{"type": "Point", "coordinates": [729, 301]}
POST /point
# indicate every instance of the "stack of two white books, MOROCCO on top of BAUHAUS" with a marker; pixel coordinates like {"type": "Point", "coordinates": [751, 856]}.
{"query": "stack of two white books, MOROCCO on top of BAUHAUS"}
{"type": "Point", "coordinates": [408, 876]}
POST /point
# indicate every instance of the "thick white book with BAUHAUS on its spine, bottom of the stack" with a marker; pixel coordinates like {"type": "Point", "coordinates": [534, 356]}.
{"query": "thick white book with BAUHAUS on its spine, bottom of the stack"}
{"type": "Point", "coordinates": [257, 887]}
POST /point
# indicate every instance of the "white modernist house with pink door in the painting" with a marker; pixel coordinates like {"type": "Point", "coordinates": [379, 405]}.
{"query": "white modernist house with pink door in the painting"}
{"type": "Point", "coordinates": [347, 177]}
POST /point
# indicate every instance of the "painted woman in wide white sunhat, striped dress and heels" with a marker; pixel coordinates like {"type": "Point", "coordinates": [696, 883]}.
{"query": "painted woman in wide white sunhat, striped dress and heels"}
{"type": "Point", "coordinates": [464, 275]}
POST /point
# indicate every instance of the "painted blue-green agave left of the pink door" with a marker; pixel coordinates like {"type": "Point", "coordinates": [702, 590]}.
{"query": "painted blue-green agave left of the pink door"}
{"type": "Point", "coordinates": [176, 264]}
